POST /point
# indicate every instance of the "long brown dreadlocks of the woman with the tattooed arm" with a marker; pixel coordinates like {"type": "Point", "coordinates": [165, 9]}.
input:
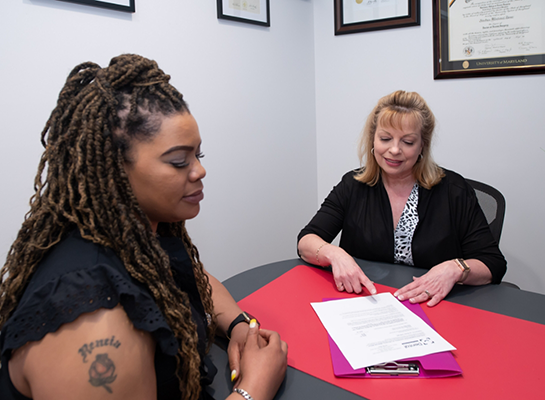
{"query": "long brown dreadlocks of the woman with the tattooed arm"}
{"type": "Point", "coordinates": [81, 183]}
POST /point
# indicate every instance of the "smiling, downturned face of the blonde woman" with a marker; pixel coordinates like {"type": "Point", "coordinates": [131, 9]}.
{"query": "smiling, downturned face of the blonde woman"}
{"type": "Point", "coordinates": [397, 149]}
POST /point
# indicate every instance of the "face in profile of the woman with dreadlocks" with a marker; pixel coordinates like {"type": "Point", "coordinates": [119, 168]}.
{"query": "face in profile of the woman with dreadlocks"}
{"type": "Point", "coordinates": [165, 172]}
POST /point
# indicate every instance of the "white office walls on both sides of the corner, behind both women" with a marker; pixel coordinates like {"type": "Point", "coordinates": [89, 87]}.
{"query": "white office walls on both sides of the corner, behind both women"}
{"type": "Point", "coordinates": [279, 110]}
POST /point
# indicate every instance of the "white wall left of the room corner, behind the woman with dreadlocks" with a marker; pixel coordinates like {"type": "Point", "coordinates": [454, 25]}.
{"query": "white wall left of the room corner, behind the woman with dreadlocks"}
{"type": "Point", "coordinates": [250, 88]}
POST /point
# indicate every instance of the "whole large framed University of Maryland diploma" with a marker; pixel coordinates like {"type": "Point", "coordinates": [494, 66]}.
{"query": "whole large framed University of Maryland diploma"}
{"type": "Point", "coordinates": [475, 38]}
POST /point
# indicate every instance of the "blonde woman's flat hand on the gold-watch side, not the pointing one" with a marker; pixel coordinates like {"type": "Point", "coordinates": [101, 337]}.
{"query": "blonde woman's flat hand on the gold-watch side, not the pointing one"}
{"type": "Point", "coordinates": [433, 286]}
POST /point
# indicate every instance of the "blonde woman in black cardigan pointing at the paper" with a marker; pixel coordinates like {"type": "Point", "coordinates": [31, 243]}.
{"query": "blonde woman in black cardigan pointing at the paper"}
{"type": "Point", "coordinates": [401, 207]}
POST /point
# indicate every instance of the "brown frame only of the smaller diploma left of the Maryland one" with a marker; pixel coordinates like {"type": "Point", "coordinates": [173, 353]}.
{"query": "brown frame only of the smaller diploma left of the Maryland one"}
{"type": "Point", "coordinates": [412, 19]}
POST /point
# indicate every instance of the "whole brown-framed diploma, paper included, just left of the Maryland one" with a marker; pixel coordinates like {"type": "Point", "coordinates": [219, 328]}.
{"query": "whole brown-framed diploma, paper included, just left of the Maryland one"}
{"type": "Point", "coordinates": [353, 16]}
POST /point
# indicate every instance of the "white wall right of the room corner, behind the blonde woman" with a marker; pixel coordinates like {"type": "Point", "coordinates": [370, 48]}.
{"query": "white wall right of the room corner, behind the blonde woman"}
{"type": "Point", "coordinates": [490, 129]}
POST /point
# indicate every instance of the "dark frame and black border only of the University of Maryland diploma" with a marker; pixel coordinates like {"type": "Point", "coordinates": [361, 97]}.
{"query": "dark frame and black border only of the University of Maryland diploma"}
{"type": "Point", "coordinates": [474, 67]}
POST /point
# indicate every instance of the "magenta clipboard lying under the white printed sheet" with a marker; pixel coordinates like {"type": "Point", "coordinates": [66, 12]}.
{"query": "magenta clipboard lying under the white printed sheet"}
{"type": "Point", "coordinates": [437, 365]}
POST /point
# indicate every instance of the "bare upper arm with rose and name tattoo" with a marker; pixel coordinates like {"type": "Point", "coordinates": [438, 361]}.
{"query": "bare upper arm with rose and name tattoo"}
{"type": "Point", "coordinates": [99, 355]}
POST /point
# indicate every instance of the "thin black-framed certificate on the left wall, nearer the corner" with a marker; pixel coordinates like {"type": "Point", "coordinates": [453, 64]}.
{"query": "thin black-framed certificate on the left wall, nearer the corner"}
{"type": "Point", "coordinates": [250, 11]}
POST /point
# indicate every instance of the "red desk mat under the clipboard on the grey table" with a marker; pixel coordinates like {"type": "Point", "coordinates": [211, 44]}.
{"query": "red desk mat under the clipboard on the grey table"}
{"type": "Point", "coordinates": [501, 357]}
